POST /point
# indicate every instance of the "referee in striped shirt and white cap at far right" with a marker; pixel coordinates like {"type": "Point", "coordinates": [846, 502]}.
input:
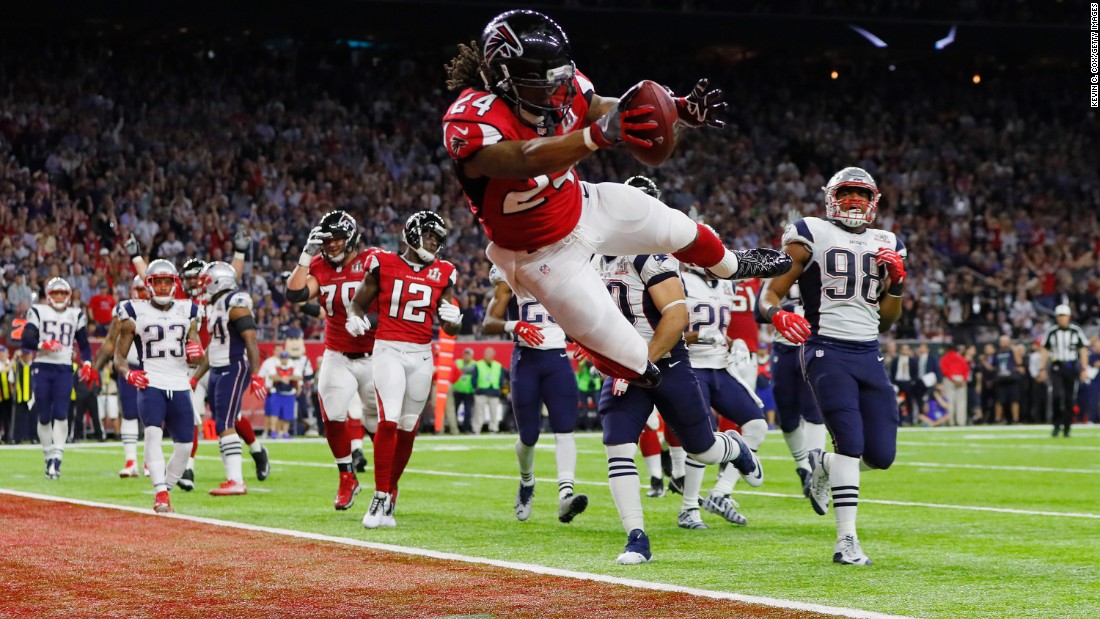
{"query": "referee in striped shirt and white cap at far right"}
{"type": "Point", "coordinates": [1066, 348]}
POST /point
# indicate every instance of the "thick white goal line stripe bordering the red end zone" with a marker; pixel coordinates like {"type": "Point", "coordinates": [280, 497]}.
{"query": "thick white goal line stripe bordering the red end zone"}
{"type": "Point", "coordinates": [775, 603]}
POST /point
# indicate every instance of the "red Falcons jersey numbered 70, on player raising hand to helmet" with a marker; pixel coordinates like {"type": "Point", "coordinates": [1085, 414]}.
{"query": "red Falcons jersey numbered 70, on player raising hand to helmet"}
{"type": "Point", "coordinates": [337, 286]}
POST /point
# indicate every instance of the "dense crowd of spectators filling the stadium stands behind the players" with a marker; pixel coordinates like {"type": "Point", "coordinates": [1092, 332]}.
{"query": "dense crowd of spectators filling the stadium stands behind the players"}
{"type": "Point", "coordinates": [988, 185]}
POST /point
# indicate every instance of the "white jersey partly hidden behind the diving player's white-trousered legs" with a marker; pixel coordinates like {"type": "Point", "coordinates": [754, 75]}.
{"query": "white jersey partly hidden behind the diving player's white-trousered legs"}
{"type": "Point", "coordinates": [629, 280]}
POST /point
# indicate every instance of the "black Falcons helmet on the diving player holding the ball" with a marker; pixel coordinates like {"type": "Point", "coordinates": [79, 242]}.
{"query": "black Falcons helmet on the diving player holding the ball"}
{"type": "Point", "coordinates": [527, 51]}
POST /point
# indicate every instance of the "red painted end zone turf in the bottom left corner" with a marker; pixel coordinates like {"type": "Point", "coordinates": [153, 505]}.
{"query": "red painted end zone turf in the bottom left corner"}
{"type": "Point", "coordinates": [62, 560]}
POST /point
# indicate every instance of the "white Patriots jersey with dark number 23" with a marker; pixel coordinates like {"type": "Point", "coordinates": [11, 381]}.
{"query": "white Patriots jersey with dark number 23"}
{"type": "Point", "coordinates": [161, 336]}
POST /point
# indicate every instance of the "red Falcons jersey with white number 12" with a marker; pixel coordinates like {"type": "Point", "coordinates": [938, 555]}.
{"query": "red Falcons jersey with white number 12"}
{"type": "Point", "coordinates": [409, 296]}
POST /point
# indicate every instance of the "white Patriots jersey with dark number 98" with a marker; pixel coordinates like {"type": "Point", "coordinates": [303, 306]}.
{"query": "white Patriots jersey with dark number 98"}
{"type": "Point", "coordinates": [842, 285]}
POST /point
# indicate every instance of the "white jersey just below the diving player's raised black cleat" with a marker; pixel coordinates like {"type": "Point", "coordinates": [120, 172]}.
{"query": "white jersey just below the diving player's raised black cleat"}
{"type": "Point", "coordinates": [710, 304]}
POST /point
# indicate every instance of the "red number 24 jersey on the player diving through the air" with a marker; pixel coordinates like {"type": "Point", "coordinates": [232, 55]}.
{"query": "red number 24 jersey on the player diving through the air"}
{"type": "Point", "coordinates": [518, 214]}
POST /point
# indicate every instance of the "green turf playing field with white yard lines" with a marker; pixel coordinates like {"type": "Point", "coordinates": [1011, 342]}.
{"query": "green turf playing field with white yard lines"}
{"type": "Point", "coordinates": [974, 523]}
